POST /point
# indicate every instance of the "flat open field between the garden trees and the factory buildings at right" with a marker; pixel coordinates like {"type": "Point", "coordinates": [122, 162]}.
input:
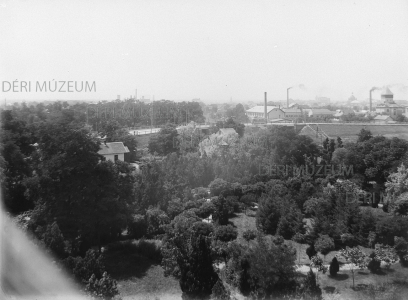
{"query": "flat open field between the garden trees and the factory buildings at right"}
{"type": "Point", "coordinates": [349, 132]}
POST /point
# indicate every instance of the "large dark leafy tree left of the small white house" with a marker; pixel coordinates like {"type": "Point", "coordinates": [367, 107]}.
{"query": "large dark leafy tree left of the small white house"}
{"type": "Point", "coordinates": [90, 199]}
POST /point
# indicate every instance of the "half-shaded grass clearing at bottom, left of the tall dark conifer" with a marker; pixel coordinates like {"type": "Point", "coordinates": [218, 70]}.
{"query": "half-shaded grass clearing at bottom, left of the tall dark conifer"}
{"type": "Point", "coordinates": [138, 276]}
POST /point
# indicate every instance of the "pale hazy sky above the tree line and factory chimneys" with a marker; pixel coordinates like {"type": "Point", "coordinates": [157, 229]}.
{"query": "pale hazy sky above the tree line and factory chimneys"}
{"type": "Point", "coordinates": [212, 50]}
